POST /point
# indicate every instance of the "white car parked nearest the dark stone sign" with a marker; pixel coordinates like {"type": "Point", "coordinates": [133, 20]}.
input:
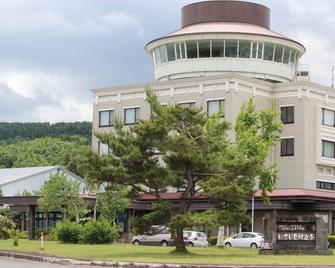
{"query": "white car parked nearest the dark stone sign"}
{"type": "Point", "coordinates": [245, 239]}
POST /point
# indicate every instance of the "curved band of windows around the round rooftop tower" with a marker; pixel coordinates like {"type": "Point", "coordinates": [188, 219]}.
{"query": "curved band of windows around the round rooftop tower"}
{"type": "Point", "coordinates": [225, 49]}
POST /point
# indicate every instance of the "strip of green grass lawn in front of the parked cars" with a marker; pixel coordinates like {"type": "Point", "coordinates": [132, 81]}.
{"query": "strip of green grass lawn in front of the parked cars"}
{"type": "Point", "coordinates": [126, 252]}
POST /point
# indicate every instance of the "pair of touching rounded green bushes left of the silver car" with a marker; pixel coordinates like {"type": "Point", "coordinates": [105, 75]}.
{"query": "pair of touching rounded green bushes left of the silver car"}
{"type": "Point", "coordinates": [93, 232]}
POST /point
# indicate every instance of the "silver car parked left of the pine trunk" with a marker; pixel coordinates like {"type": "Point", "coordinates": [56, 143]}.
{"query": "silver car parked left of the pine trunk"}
{"type": "Point", "coordinates": [158, 235]}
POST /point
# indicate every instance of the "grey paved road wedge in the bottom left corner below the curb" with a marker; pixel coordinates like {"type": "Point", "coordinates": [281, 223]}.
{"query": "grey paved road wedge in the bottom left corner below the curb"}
{"type": "Point", "coordinates": [16, 263]}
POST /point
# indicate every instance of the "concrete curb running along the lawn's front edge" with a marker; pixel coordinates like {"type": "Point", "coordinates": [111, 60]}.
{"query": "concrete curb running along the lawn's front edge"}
{"type": "Point", "coordinates": [97, 263]}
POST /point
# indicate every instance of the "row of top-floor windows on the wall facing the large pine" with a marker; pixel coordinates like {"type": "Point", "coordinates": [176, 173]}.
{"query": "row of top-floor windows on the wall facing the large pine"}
{"type": "Point", "coordinates": [132, 115]}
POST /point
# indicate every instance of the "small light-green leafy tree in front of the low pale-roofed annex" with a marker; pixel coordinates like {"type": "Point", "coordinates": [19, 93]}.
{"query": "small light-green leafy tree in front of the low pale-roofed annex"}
{"type": "Point", "coordinates": [60, 193]}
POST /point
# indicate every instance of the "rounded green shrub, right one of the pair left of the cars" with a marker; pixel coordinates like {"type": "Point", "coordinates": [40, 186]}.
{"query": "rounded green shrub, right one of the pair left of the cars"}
{"type": "Point", "coordinates": [99, 232]}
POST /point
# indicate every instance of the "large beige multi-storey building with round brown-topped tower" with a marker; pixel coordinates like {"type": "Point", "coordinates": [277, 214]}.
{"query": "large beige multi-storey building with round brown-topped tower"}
{"type": "Point", "coordinates": [224, 54]}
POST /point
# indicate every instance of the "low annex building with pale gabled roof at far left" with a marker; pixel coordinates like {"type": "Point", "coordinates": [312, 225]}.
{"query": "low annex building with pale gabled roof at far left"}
{"type": "Point", "coordinates": [20, 188]}
